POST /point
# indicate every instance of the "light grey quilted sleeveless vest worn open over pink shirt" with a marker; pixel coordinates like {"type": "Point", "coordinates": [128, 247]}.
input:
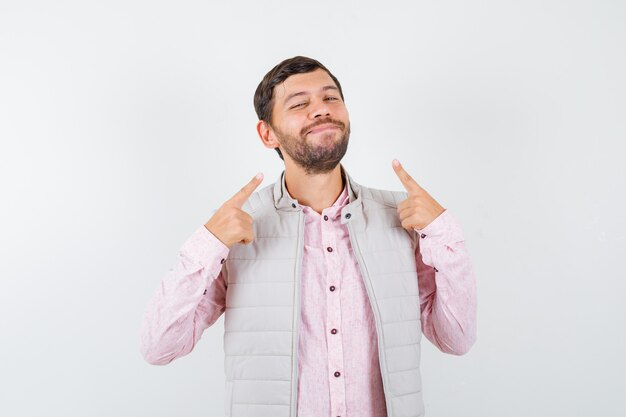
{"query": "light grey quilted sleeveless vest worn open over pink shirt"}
{"type": "Point", "coordinates": [263, 301]}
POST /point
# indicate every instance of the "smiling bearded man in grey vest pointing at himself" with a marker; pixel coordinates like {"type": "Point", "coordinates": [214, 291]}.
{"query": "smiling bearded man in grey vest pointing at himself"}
{"type": "Point", "coordinates": [318, 275]}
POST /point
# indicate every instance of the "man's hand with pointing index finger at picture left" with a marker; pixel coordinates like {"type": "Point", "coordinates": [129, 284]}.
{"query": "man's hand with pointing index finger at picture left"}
{"type": "Point", "coordinates": [230, 224]}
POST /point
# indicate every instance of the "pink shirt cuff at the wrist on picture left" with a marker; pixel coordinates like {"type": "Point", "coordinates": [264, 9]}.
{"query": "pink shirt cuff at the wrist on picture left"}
{"type": "Point", "coordinates": [206, 249]}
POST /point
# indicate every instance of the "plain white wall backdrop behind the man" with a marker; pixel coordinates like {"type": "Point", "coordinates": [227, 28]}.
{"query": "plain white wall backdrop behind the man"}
{"type": "Point", "coordinates": [124, 123]}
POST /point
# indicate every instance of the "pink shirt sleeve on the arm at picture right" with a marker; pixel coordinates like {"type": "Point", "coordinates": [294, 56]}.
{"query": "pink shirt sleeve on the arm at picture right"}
{"type": "Point", "coordinates": [447, 286]}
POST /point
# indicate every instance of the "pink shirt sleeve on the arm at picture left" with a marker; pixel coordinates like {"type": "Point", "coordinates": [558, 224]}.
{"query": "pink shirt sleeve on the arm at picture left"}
{"type": "Point", "coordinates": [189, 299]}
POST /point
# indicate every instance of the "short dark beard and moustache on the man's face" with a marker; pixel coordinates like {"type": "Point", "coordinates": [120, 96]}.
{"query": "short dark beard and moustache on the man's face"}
{"type": "Point", "coordinates": [317, 155]}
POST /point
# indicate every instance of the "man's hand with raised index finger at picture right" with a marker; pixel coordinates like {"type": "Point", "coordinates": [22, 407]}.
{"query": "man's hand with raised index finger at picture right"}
{"type": "Point", "coordinates": [419, 209]}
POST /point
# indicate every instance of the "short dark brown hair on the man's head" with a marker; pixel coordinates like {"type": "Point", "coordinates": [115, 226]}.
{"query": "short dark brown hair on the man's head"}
{"type": "Point", "coordinates": [264, 94]}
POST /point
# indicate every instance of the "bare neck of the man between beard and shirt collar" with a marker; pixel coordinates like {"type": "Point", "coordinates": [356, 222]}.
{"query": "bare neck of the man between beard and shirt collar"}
{"type": "Point", "coordinates": [317, 191]}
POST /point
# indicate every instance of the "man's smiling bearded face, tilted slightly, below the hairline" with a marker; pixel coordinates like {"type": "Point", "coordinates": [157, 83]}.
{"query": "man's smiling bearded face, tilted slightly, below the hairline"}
{"type": "Point", "coordinates": [310, 121]}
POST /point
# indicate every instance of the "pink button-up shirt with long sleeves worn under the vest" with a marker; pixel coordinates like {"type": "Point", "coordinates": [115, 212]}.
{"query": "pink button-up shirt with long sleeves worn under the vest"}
{"type": "Point", "coordinates": [338, 366]}
